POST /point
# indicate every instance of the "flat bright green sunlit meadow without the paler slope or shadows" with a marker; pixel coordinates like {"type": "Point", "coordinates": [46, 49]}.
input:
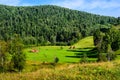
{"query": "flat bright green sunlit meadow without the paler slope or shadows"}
{"type": "Point", "coordinates": [48, 53]}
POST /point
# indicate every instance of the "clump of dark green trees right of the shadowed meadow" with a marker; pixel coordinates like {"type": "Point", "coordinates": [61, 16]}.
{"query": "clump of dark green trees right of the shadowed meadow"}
{"type": "Point", "coordinates": [107, 40]}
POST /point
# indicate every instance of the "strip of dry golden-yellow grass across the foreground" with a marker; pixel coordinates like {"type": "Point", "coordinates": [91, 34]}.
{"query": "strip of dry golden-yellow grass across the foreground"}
{"type": "Point", "coordinates": [88, 71]}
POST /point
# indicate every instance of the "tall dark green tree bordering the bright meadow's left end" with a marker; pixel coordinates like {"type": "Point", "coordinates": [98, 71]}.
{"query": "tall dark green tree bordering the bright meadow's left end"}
{"type": "Point", "coordinates": [18, 57]}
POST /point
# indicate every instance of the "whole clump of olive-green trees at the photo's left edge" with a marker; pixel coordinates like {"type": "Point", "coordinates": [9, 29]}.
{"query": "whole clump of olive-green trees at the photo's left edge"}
{"type": "Point", "coordinates": [11, 55]}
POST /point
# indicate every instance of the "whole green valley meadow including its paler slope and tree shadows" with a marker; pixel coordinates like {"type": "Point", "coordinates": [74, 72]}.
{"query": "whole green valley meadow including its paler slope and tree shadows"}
{"type": "Point", "coordinates": [48, 53]}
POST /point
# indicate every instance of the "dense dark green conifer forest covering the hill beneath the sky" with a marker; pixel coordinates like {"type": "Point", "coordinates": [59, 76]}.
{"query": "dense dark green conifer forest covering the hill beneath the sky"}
{"type": "Point", "coordinates": [44, 25]}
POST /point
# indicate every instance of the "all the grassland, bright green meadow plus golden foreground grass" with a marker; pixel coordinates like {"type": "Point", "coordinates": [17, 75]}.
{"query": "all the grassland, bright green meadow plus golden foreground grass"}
{"type": "Point", "coordinates": [66, 69]}
